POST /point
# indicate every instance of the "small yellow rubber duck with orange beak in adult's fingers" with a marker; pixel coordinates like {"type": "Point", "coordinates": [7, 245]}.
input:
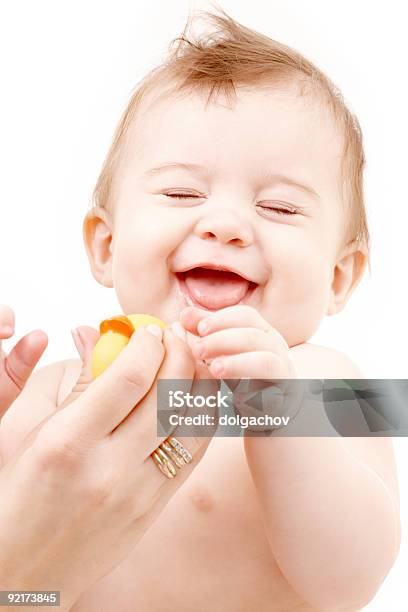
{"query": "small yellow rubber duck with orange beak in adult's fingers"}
{"type": "Point", "coordinates": [115, 334]}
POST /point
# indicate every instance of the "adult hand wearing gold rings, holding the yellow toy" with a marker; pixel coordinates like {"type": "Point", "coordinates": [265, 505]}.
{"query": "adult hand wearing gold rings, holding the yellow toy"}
{"type": "Point", "coordinates": [83, 488]}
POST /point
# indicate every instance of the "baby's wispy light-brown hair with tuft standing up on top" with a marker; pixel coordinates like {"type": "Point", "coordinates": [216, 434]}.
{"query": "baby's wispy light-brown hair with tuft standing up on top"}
{"type": "Point", "coordinates": [227, 55]}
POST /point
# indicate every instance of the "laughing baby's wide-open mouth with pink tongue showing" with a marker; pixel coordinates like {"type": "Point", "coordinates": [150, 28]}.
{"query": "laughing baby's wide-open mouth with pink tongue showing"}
{"type": "Point", "coordinates": [214, 289]}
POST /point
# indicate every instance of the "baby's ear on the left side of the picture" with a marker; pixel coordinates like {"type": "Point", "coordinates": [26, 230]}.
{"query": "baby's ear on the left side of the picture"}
{"type": "Point", "coordinates": [97, 232]}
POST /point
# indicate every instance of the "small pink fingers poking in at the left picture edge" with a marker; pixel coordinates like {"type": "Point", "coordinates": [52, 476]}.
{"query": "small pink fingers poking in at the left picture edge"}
{"type": "Point", "coordinates": [16, 367]}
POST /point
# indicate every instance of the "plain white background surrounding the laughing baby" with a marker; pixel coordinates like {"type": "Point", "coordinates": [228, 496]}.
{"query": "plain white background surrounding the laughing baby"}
{"type": "Point", "coordinates": [67, 70]}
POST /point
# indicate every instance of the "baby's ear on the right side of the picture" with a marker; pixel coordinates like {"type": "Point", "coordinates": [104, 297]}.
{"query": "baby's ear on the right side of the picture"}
{"type": "Point", "coordinates": [347, 273]}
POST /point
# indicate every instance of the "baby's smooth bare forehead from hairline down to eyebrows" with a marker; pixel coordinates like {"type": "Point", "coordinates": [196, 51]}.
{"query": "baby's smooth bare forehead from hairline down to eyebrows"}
{"type": "Point", "coordinates": [277, 126]}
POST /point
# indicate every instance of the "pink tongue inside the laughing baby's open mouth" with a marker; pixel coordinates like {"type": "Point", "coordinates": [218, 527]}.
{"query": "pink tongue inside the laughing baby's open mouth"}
{"type": "Point", "coordinates": [215, 289]}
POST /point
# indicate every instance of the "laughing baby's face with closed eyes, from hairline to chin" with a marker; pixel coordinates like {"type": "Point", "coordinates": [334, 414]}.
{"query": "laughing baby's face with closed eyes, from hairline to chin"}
{"type": "Point", "coordinates": [265, 202]}
